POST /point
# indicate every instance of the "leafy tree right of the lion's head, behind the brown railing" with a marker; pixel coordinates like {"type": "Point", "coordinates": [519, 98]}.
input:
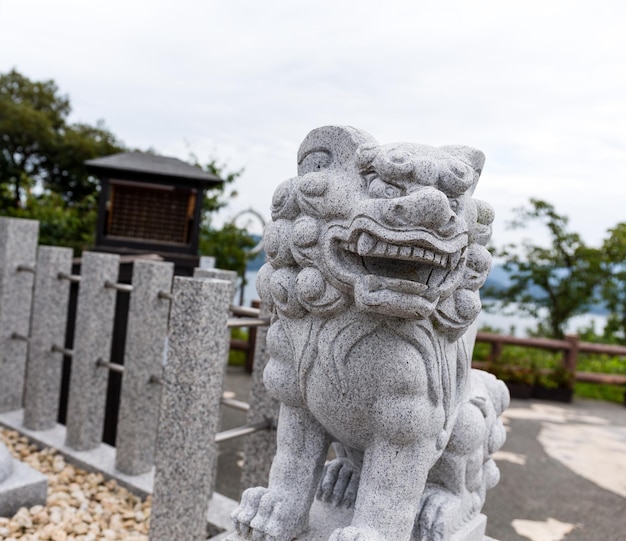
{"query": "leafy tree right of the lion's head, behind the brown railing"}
{"type": "Point", "coordinates": [552, 283]}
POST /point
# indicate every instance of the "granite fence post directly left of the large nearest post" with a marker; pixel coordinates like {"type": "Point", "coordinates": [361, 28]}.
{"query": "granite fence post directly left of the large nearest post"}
{"type": "Point", "coordinates": [143, 357]}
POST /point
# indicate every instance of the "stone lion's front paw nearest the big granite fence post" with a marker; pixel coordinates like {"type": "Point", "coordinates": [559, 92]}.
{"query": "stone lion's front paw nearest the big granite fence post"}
{"type": "Point", "coordinates": [264, 515]}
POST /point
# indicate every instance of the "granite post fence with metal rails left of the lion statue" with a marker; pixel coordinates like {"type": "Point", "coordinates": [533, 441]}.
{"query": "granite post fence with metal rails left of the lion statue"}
{"type": "Point", "coordinates": [172, 376]}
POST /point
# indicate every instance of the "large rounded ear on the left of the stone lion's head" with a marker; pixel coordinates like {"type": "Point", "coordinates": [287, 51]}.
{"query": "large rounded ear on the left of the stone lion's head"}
{"type": "Point", "coordinates": [330, 146]}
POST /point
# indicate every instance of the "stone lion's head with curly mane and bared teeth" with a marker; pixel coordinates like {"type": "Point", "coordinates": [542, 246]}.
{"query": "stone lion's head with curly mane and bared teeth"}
{"type": "Point", "coordinates": [385, 229]}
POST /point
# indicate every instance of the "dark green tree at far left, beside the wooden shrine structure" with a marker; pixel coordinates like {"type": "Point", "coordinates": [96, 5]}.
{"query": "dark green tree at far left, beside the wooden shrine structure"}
{"type": "Point", "coordinates": [42, 155]}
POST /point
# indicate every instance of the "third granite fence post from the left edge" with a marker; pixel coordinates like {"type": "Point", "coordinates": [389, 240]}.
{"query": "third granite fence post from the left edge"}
{"type": "Point", "coordinates": [92, 341]}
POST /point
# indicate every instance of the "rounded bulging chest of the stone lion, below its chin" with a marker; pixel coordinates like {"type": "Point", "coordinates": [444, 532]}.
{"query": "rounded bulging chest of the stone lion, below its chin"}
{"type": "Point", "coordinates": [363, 381]}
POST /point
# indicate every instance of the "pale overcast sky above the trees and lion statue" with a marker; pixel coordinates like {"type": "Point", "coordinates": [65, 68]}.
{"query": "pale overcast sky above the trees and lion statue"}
{"type": "Point", "coordinates": [539, 86]}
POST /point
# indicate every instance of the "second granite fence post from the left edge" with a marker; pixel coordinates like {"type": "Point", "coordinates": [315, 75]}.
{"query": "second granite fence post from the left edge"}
{"type": "Point", "coordinates": [49, 319]}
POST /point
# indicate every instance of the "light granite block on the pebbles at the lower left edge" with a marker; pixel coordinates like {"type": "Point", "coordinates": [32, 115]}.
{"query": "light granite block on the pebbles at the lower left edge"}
{"type": "Point", "coordinates": [25, 487]}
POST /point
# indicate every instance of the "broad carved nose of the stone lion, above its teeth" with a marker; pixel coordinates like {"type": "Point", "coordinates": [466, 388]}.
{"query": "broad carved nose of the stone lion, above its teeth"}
{"type": "Point", "coordinates": [426, 207]}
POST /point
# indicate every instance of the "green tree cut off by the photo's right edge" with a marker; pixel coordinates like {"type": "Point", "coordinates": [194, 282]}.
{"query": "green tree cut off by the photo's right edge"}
{"type": "Point", "coordinates": [613, 288]}
